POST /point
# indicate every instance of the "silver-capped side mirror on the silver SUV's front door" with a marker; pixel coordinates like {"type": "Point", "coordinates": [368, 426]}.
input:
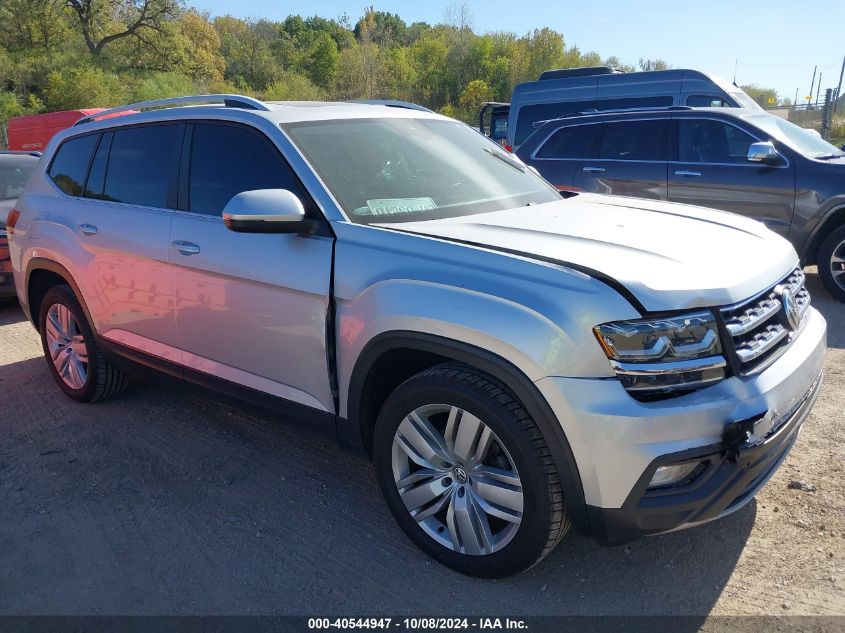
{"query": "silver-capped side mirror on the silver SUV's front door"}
{"type": "Point", "coordinates": [267, 211]}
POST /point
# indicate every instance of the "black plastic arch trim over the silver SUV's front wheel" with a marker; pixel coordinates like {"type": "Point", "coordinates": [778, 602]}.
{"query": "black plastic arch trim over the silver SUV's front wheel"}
{"type": "Point", "coordinates": [352, 429]}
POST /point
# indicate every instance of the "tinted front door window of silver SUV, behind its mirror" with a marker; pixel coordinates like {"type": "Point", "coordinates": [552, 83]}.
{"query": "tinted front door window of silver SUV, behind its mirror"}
{"type": "Point", "coordinates": [227, 160]}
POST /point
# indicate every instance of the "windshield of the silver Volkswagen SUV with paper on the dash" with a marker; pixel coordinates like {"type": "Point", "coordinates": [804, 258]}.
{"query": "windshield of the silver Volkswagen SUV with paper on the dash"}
{"type": "Point", "coordinates": [405, 170]}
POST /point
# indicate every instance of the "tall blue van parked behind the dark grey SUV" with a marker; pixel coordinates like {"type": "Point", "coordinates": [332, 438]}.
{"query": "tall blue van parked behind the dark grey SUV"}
{"type": "Point", "coordinates": [560, 92]}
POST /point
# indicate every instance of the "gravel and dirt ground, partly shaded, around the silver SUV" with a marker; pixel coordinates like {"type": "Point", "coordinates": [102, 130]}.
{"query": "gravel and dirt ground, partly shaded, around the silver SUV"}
{"type": "Point", "coordinates": [165, 501]}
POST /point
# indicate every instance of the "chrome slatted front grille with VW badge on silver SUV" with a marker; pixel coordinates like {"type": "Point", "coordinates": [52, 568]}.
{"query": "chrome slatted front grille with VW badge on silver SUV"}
{"type": "Point", "coordinates": [759, 328]}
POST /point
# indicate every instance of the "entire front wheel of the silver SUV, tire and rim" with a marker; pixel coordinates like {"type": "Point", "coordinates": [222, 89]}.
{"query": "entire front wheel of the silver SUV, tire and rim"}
{"type": "Point", "coordinates": [467, 474]}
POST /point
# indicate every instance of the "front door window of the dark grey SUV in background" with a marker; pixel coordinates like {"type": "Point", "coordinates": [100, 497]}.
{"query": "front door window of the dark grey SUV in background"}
{"type": "Point", "coordinates": [711, 141]}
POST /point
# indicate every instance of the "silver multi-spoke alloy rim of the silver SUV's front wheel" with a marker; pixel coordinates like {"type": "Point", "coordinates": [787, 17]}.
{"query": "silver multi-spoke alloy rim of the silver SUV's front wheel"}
{"type": "Point", "coordinates": [457, 479]}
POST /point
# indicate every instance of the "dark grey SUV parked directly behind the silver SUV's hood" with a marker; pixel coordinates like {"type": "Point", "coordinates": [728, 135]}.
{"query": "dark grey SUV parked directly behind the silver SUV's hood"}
{"type": "Point", "coordinates": [739, 160]}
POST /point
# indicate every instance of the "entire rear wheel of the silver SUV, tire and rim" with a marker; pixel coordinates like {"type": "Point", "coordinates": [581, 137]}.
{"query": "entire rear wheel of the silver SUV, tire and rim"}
{"type": "Point", "coordinates": [72, 353]}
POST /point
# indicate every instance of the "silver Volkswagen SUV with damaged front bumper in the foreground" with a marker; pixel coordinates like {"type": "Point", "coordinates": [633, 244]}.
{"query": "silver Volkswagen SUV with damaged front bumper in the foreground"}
{"type": "Point", "coordinates": [515, 362]}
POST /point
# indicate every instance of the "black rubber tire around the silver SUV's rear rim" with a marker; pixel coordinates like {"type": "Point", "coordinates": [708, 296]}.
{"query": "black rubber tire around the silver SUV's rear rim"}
{"type": "Point", "coordinates": [103, 379]}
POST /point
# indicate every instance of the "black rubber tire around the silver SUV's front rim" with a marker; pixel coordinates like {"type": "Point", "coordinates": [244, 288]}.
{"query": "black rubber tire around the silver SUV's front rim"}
{"type": "Point", "coordinates": [544, 520]}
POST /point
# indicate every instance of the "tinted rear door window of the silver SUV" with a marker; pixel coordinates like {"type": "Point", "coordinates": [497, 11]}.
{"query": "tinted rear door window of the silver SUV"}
{"type": "Point", "coordinates": [141, 165]}
